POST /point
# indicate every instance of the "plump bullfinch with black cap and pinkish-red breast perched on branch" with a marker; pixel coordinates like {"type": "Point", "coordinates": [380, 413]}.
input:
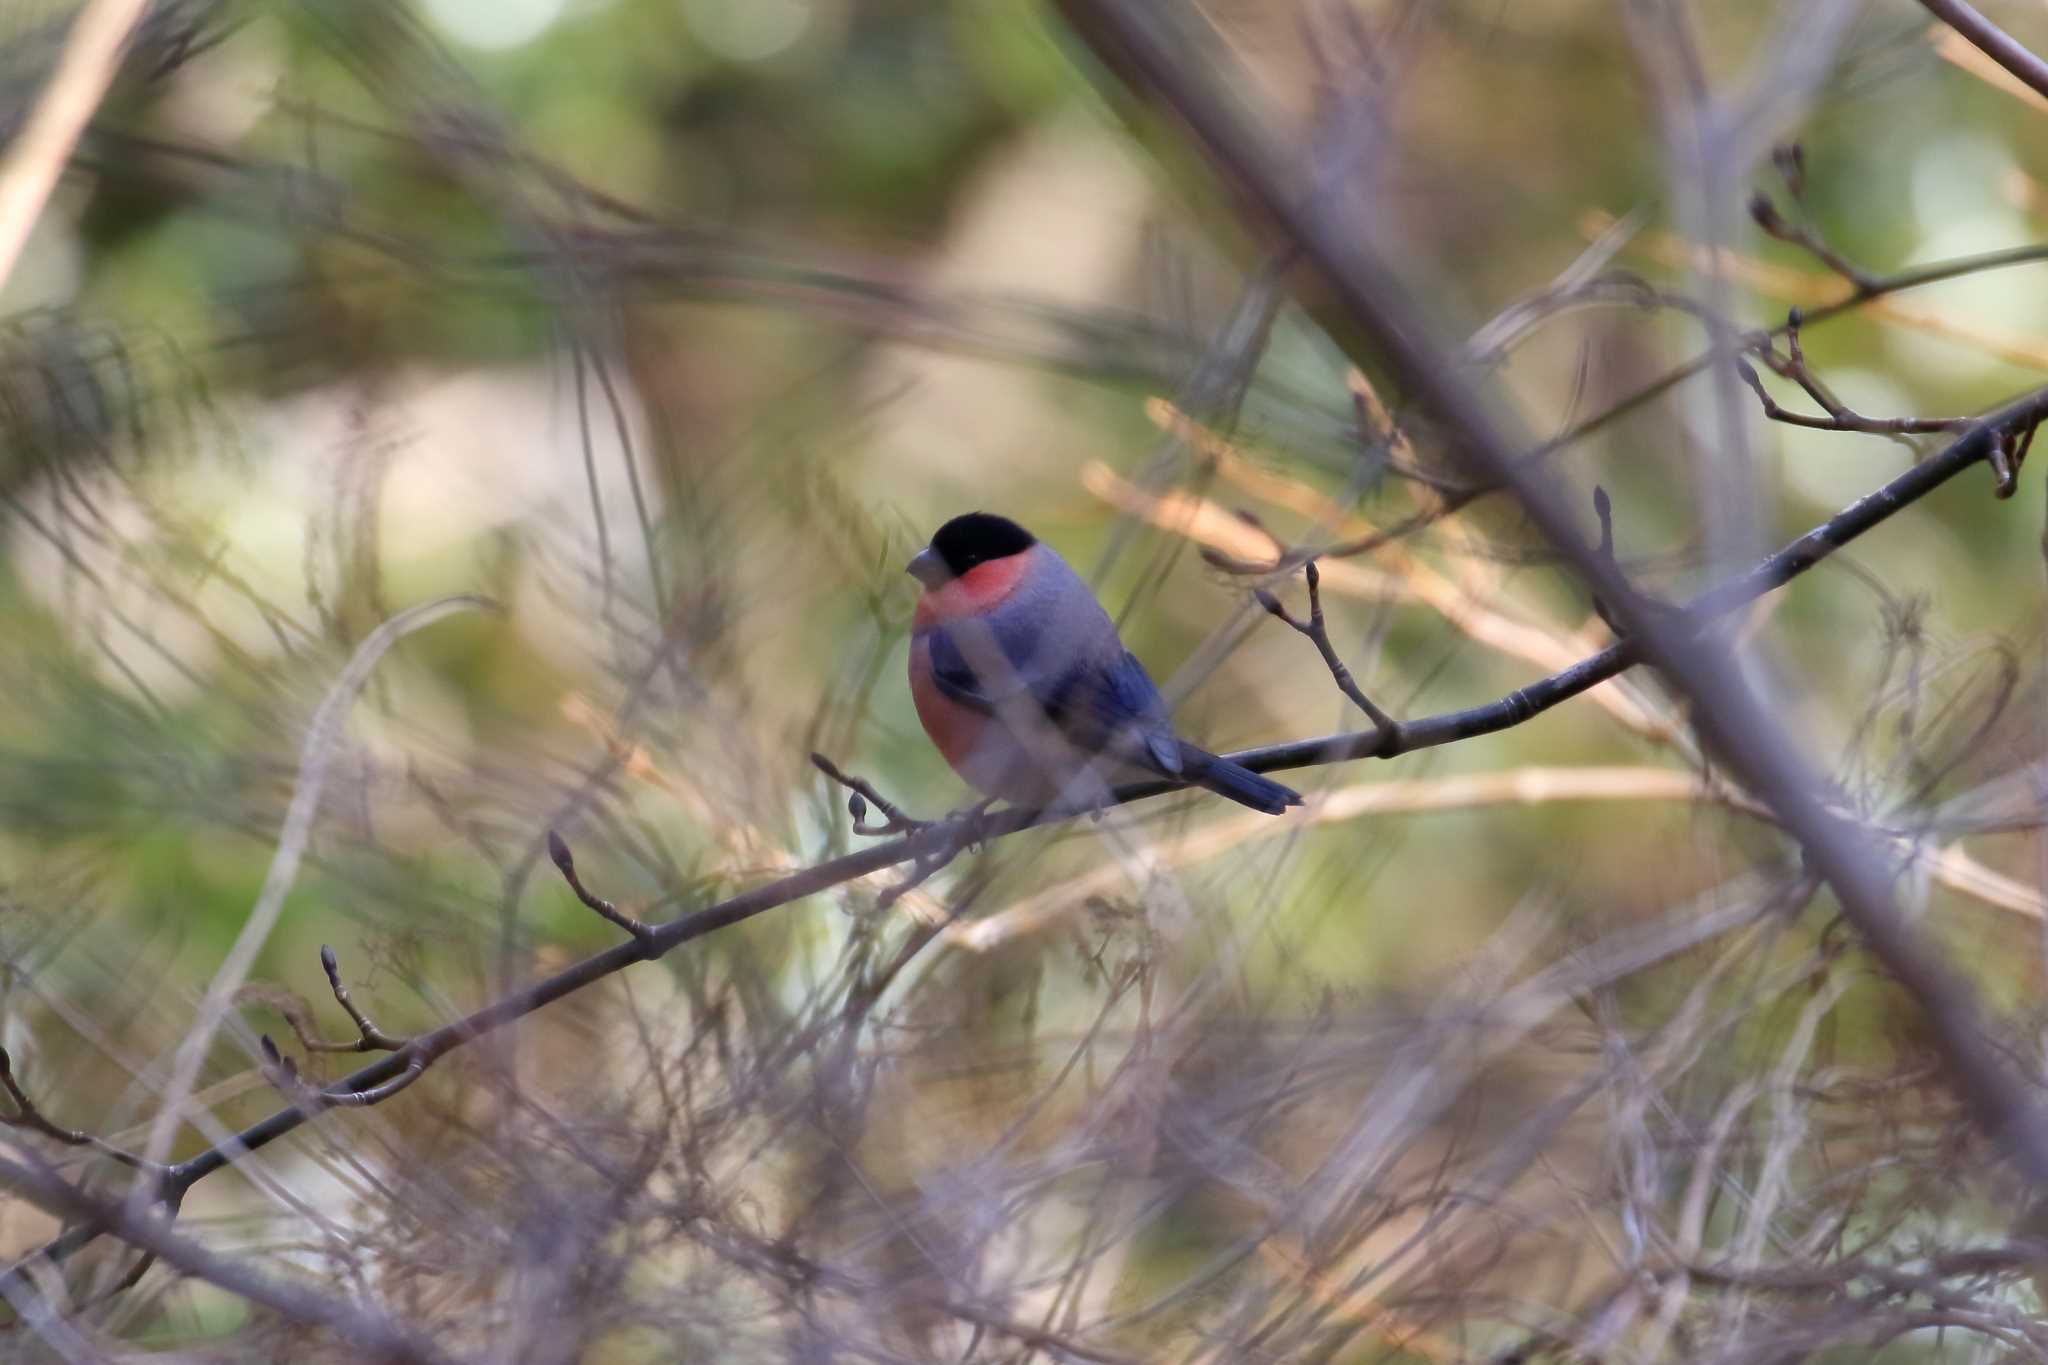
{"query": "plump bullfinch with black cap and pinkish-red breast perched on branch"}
{"type": "Point", "coordinates": [1025, 687]}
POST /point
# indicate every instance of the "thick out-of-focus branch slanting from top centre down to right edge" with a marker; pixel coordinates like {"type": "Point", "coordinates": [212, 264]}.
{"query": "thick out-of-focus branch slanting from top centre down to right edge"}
{"type": "Point", "coordinates": [1377, 294]}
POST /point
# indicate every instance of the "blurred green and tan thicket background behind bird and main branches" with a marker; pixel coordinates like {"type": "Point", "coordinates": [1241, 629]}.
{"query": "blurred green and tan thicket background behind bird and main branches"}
{"type": "Point", "coordinates": [673, 328]}
